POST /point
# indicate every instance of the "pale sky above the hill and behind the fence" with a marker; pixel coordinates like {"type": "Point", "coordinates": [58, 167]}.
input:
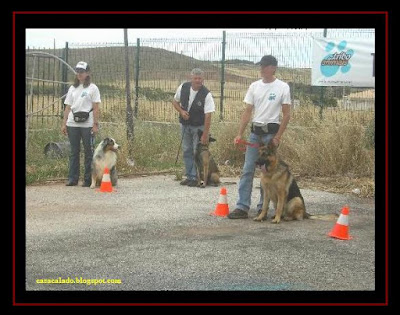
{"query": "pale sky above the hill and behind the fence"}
{"type": "Point", "coordinates": [292, 50]}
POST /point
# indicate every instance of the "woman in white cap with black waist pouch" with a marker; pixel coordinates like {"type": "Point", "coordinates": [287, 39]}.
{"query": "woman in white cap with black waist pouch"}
{"type": "Point", "coordinates": [81, 122]}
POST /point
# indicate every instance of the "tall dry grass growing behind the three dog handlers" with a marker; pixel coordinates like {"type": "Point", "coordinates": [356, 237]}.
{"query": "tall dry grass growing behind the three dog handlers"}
{"type": "Point", "coordinates": [329, 154]}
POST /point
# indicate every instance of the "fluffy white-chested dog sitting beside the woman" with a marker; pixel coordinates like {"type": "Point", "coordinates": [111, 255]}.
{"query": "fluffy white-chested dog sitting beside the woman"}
{"type": "Point", "coordinates": [104, 156]}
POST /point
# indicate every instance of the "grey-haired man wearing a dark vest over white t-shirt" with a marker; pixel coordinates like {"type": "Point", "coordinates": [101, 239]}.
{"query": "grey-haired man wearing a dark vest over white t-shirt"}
{"type": "Point", "coordinates": [195, 105]}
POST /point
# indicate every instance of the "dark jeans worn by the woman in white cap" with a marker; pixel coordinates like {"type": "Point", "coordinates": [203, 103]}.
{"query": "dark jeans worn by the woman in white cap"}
{"type": "Point", "coordinates": [75, 134]}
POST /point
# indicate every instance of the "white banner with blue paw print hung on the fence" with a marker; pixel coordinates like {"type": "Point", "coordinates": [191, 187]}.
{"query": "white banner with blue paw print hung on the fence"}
{"type": "Point", "coordinates": [343, 62]}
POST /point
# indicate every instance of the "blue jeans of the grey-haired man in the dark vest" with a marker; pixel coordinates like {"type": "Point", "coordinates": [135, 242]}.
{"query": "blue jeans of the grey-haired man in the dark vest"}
{"type": "Point", "coordinates": [190, 138]}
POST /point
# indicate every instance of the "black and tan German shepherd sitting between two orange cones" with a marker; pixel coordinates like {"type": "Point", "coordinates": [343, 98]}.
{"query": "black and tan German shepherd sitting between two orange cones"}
{"type": "Point", "coordinates": [279, 186]}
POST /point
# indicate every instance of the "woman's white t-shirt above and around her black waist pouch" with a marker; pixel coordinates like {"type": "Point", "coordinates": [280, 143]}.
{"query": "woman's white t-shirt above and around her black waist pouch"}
{"type": "Point", "coordinates": [81, 100]}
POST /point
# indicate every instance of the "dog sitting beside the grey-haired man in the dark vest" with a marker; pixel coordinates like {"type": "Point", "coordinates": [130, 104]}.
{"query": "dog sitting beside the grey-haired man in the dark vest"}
{"type": "Point", "coordinates": [207, 169]}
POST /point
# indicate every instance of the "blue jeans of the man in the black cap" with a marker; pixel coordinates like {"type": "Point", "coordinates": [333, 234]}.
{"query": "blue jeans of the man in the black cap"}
{"type": "Point", "coordinates": [246, 179]}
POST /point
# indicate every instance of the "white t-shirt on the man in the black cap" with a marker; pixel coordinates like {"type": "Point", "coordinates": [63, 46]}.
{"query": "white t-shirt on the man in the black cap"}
{"type": "Point", "coordinates": [267, 99]}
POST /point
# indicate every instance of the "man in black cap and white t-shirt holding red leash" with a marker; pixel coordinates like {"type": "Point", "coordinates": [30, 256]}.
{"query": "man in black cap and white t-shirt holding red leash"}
{"type": "Point", "coordinates": [264, 99]}
